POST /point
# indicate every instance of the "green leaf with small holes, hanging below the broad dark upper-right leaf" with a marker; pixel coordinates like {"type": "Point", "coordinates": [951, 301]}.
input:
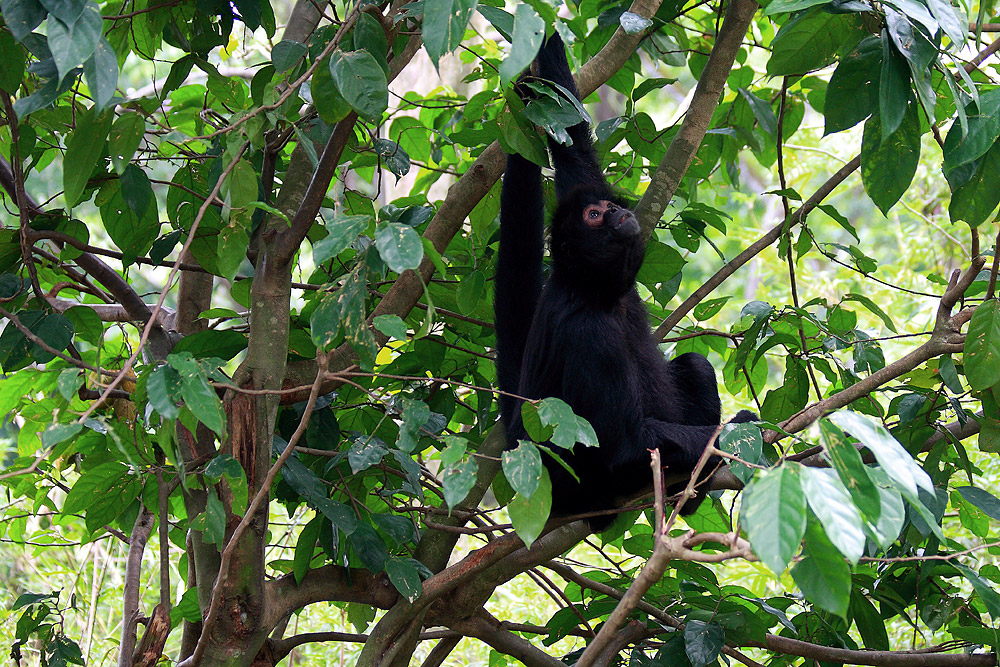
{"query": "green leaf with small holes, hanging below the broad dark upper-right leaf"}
{"type": "Point", "coordinates": [888, 165]}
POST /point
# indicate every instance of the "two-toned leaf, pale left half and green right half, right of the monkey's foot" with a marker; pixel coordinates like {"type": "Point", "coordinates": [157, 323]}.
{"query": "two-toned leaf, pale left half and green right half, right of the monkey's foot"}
{"type": "Point", "coordinates": [774, 515]}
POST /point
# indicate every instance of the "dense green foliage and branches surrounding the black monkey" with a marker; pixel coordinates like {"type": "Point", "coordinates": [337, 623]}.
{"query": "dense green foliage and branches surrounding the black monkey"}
{"type": "Point", "coordinates": [245, 273]}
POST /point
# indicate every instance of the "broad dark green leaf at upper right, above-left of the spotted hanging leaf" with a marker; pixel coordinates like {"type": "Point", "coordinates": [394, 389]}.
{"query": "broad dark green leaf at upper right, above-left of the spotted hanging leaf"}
{"type": "Point", "coordinates": [852, 94]}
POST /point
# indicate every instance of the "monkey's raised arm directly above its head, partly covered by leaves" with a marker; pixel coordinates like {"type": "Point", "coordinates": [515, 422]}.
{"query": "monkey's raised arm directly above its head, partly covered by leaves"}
{"type": "Point", "coordinates": [577, 164]}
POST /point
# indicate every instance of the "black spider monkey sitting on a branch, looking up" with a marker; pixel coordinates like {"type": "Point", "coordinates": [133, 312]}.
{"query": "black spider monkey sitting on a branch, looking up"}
{"type": "Point", "coordinates": [584, 335]}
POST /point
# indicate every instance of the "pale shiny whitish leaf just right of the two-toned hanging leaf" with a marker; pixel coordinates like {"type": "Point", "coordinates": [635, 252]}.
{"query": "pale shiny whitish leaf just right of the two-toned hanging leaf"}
{"type": "Point", "coordinates": [832, 504]}
